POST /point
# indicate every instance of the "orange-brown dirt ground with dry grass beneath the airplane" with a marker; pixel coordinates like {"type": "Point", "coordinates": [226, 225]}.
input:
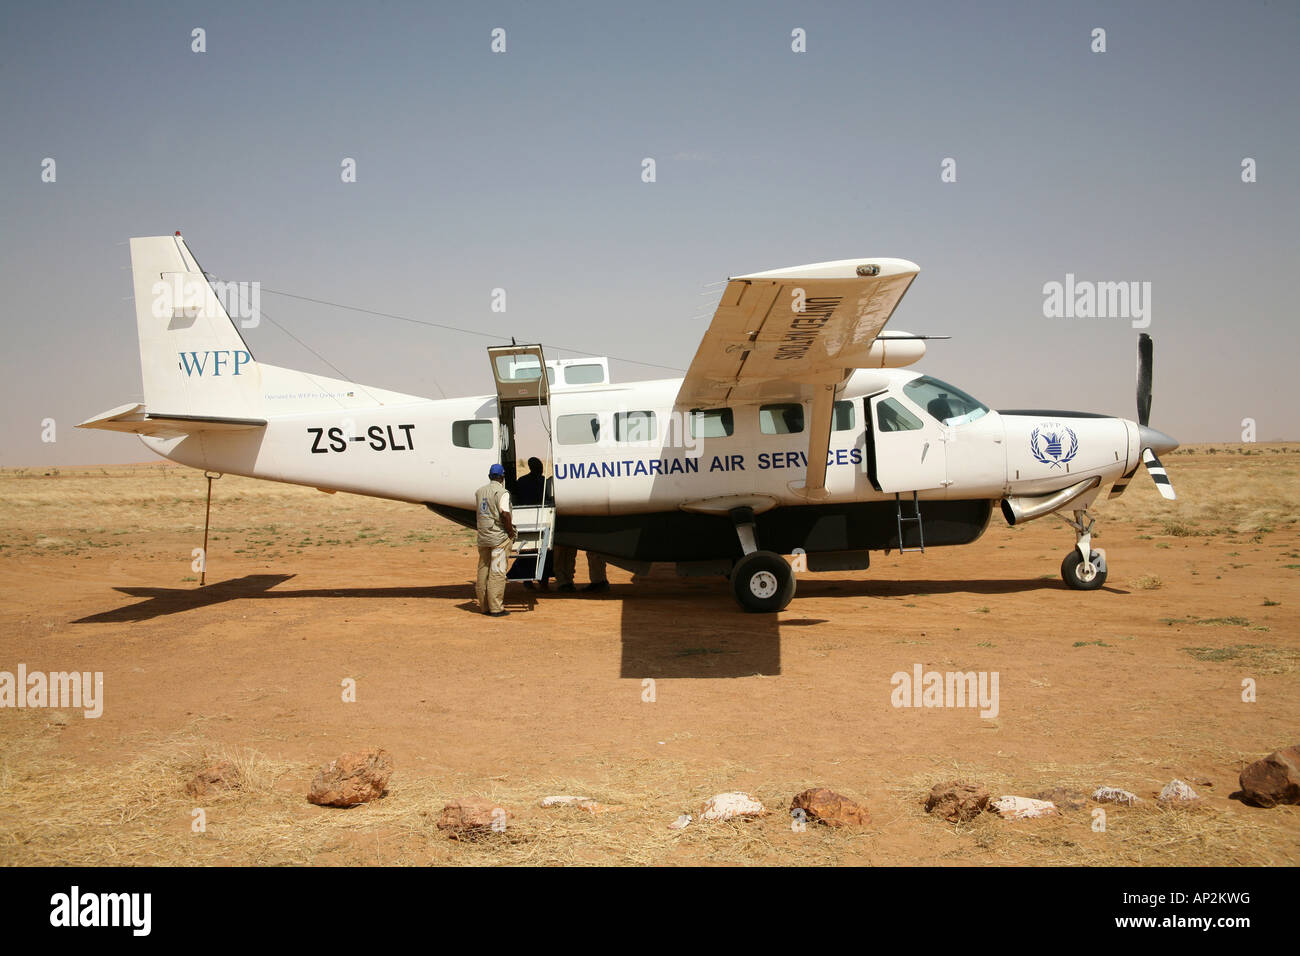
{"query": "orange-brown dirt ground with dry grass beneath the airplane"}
{"type": "Point", "coordinates": [1132, 686]}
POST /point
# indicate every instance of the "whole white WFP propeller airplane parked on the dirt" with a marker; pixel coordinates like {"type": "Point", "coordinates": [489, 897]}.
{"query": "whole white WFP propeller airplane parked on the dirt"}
{"type": "Point", "coordinates": [796, 431]}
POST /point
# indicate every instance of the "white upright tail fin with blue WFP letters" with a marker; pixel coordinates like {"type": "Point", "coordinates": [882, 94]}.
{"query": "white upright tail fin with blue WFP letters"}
{"type": "Point", "coordinates": [193, 358]}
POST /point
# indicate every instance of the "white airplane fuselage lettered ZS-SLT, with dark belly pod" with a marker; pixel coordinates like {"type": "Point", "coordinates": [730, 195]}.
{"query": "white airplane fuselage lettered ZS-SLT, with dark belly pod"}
{"type": "Point", "coordinates": [639, 479]}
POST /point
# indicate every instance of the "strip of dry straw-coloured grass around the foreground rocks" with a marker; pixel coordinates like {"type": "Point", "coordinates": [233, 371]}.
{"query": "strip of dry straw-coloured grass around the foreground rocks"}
{"type": "Point", "coordinates": [137, 814]}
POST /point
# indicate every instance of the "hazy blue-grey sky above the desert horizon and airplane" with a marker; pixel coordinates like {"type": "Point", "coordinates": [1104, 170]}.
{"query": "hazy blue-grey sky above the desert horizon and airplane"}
{"type": "Point", "coordinates": [525, 171]}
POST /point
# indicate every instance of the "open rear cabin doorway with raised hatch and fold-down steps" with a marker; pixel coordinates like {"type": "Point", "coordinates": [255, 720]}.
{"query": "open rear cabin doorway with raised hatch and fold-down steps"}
{"type": "Point", "coordinates": [525, 416]}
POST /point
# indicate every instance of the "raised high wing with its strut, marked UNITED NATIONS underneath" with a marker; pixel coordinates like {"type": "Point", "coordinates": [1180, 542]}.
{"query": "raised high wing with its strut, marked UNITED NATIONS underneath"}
{"type": "Point", "coordinates": [796, 335]}
